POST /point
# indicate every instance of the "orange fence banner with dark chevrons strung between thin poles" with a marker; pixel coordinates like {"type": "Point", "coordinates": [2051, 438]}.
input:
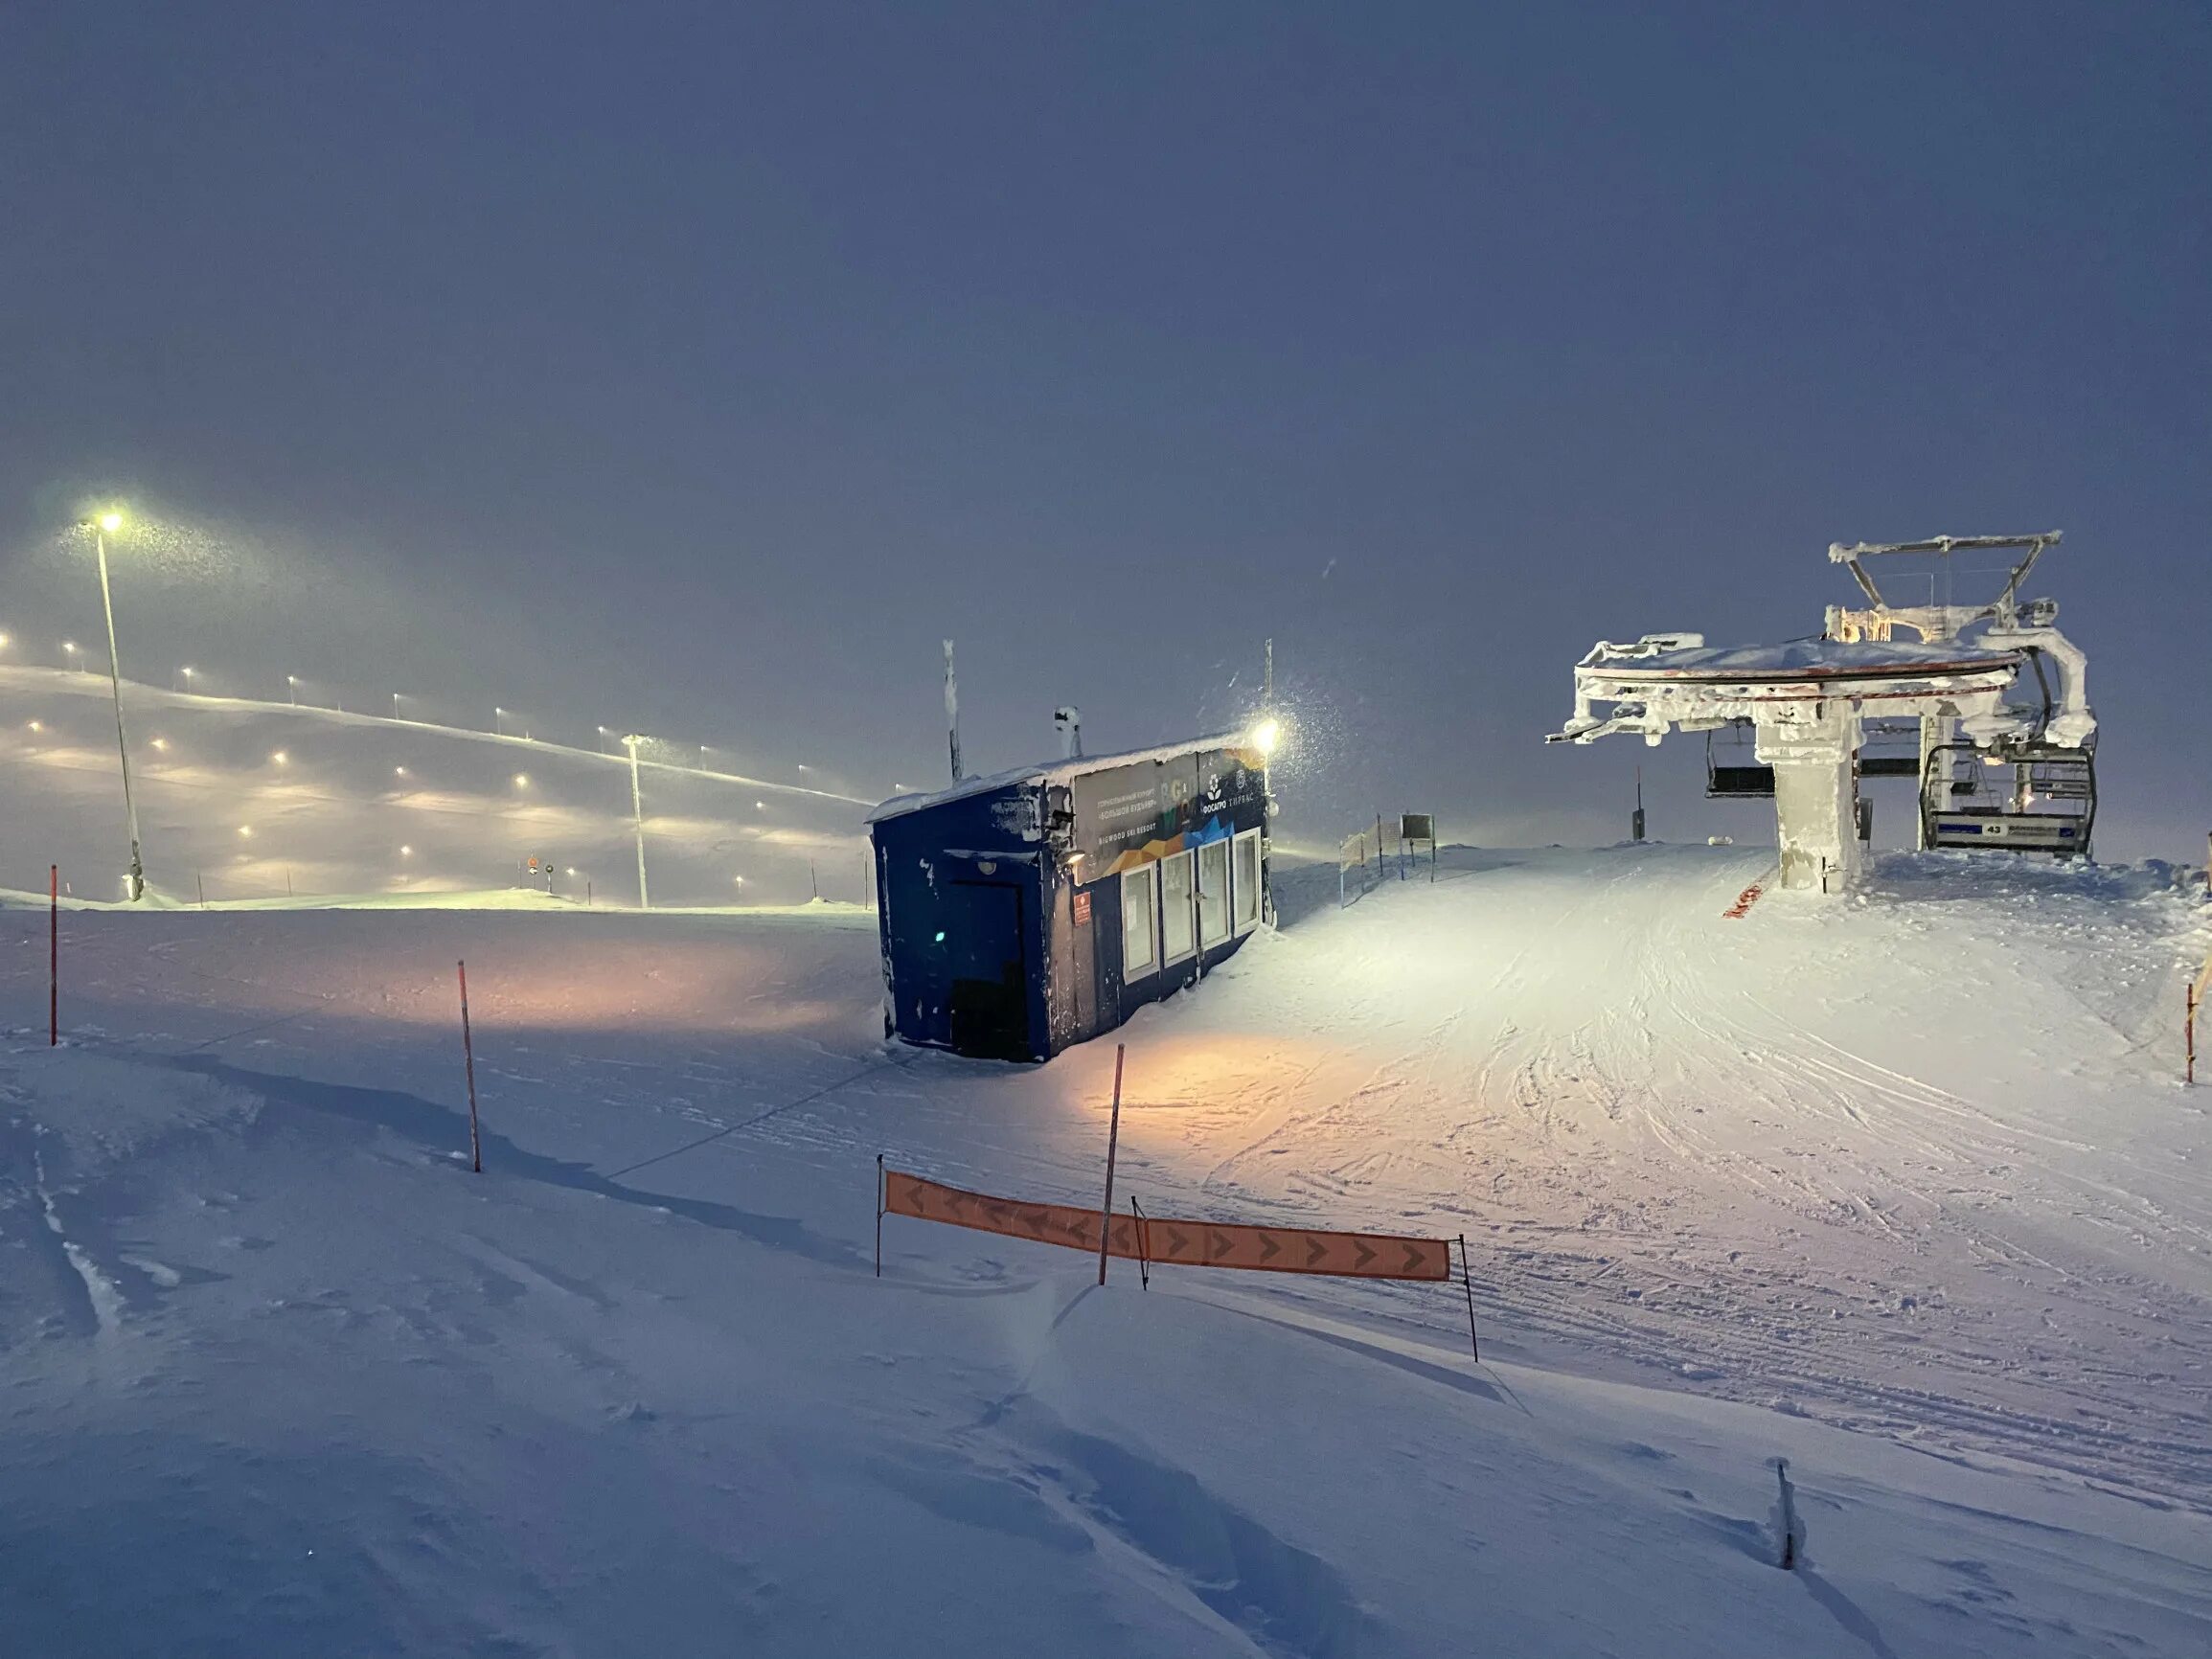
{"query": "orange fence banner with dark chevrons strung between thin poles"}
{"type": "Point", "coordinates": [1162, 1240]}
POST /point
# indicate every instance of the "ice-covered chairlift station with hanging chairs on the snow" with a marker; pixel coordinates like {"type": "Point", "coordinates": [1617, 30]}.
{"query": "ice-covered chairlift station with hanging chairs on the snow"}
{"type": "Point", "coordinates": [1806, 705]}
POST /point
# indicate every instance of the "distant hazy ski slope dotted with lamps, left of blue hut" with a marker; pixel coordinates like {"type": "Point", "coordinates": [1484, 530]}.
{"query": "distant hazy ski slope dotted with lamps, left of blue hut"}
{"type": "Point", "coordinates": [249, 802]}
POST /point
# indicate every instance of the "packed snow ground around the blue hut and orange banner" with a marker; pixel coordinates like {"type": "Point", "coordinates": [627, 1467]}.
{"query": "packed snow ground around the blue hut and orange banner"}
{"type": "Point", "coordinates": [1906, 1191]}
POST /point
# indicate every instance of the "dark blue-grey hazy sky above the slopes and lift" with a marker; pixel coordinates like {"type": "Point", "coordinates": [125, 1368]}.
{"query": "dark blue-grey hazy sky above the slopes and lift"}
{"type": "Point", "coordinates": [698, 371]}
